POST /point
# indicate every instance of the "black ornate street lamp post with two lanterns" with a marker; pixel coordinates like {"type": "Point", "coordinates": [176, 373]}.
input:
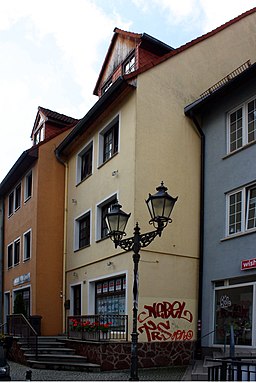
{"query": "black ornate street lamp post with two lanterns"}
{"type": "Point", "coordinates": [160, 206]}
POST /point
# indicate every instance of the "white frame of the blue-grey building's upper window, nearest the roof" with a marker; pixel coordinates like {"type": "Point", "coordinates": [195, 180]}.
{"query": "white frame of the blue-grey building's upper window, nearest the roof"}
{"type": "Point", "coordinates": [245, 122]}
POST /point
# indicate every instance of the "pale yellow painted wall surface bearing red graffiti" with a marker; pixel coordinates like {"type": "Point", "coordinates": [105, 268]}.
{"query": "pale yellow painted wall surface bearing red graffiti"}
{"type": "Point", "coordinates": [157, 143]}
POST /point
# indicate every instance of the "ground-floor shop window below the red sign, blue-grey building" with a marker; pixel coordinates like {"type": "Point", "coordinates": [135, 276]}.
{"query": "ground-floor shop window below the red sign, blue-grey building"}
{"type": "Point", "coordinates": [234, 306]}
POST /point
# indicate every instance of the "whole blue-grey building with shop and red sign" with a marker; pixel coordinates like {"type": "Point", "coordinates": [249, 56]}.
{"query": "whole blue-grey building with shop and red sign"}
{"type": "Point", "coordinates": [225, 116]}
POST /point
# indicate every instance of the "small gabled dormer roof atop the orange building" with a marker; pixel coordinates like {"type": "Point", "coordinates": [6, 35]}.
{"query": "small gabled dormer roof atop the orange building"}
{"type": "Point", "coordinates": [60, 120]}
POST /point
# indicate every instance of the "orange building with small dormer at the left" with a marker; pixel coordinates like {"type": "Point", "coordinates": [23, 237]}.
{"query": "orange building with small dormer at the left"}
{"type": "Point", "coordinates": [32, 196]}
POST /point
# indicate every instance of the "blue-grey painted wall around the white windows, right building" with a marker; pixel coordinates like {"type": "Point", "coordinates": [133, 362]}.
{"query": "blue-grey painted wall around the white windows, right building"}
{"type": "Point", "coordinates": [223, 256]}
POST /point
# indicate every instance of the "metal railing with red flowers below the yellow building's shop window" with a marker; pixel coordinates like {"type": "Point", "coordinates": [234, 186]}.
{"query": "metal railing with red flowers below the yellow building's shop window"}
{"type": "Point", "coordinates": [97, 328]}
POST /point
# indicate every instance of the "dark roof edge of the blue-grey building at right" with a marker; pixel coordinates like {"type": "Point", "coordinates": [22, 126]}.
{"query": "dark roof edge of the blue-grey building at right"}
{"type": "Point", "coordinates": [226, 87]}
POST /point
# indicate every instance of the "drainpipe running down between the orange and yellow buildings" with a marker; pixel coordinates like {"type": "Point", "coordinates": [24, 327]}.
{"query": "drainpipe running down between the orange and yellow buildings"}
{"type": "Point", "coordinates": [64, 240]}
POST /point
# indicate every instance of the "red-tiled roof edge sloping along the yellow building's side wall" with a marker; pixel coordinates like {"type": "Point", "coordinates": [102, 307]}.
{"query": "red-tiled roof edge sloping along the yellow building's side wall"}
{"type": "Point", "coordinates": [190, 44]}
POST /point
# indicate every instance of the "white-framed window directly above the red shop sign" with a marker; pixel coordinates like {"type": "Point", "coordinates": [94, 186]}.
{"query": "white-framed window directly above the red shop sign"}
{"type": "Point", "coordinates": [242, 210]}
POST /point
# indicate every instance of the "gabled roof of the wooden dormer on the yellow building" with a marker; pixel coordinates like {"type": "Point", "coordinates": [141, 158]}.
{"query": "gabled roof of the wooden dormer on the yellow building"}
{"type": "Point", "coordinates": [145, 41]}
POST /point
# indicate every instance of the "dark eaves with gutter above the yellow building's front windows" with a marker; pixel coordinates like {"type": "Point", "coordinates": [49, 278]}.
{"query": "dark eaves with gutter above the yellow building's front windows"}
{"type": "Point", "coordinates": [109, 97]}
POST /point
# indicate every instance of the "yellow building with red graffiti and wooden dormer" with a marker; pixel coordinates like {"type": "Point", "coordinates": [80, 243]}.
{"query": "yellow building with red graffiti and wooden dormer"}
{"type": "Point", "coordinates": [133, 135]}
